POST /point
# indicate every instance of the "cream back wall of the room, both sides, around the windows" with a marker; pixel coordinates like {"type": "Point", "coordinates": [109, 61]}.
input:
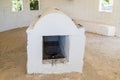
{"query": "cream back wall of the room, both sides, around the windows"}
{"type": "Point", "coordinates": [76, 9]}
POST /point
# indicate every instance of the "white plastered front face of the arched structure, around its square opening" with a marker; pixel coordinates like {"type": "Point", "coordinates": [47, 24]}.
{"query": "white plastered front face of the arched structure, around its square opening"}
{"type": "Point", "coordinates": [55, 24]}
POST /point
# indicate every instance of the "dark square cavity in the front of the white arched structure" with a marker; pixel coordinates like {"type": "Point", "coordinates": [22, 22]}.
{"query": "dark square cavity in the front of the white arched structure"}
{"type": "Point", "coordinates": [53, 47]}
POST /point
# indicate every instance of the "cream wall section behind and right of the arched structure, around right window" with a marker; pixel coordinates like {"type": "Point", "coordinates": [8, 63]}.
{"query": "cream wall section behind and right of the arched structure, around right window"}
{"type": "Point", "coordinates": [86, 10]}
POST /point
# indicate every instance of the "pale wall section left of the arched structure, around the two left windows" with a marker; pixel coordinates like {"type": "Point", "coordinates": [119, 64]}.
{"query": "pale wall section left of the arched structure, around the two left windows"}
{"type": "Point", "coordinates": [10, 20]}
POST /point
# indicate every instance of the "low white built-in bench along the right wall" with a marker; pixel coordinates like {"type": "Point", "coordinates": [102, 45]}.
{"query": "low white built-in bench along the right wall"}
{"type": "Point", "coordinates": [98, 28]}
